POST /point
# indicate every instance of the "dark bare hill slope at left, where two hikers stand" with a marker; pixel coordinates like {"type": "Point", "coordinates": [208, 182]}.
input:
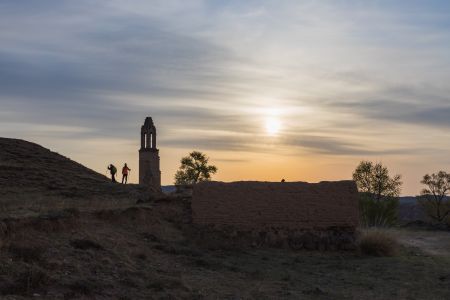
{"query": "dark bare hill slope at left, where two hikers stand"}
{"type": "Point", "coordinates": [32, 174]}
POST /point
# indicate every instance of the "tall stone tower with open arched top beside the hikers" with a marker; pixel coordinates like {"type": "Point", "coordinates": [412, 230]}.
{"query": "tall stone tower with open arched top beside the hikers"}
{"type": "Point", "coordinates": [149, 173]}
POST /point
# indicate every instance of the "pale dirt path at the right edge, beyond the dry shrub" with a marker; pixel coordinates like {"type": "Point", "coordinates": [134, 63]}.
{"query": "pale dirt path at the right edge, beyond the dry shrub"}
{"type": "Point", "coordinates": [430, 242]}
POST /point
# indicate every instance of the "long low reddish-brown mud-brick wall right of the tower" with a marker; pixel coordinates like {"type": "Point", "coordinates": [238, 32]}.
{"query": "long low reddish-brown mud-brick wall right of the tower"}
{"type": "Point", "coordinates": [288, 205]}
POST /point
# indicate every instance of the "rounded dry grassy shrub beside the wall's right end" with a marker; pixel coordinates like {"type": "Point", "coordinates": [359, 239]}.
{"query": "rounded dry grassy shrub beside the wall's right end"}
{"type": "Point", "coordinates": [377, 242]}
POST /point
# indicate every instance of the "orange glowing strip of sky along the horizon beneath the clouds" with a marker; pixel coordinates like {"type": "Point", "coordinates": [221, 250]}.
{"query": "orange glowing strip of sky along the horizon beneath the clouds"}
{"type": "Point", "coordinates": [270, 166]}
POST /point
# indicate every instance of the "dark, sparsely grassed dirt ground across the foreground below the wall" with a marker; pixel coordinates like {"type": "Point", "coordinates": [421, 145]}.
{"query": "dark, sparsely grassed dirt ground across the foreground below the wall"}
{"type": "Point", "coordinates": [146, 252]}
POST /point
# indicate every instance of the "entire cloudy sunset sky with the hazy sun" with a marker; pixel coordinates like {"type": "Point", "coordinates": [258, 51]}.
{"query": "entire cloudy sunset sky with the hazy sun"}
{"type": "Point", "coordinates": [301, 90]}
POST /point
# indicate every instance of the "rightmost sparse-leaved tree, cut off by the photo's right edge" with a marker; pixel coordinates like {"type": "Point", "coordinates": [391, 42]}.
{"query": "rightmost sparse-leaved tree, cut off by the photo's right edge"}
{"type": "Point", "coordinates": [434, 197]}
